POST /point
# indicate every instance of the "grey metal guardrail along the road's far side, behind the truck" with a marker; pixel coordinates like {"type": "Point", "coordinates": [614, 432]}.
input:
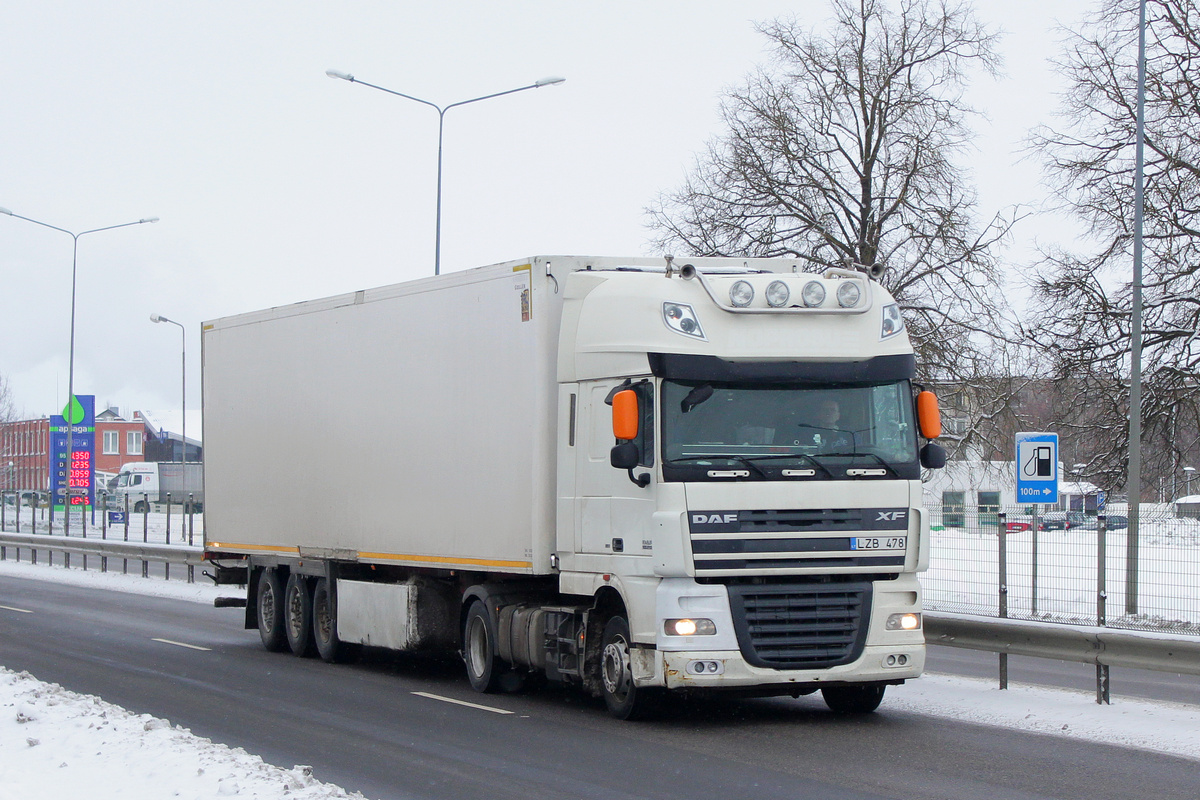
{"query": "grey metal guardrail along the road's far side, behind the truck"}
{"type": "Point", "coordinates": [1096, 646]}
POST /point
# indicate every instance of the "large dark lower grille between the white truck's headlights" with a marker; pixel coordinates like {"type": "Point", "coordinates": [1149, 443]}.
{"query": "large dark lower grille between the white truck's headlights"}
{"type": "Point", "coordinates": [801, 627]}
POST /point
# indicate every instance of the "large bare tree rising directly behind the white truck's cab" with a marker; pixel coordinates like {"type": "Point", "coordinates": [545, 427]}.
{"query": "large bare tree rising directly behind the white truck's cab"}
{"type": "Point", "coordinates": [843, 152]}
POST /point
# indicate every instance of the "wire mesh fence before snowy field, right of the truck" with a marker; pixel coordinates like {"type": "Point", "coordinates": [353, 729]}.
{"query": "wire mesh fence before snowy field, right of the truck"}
{"type": "Point", "coordinates": [1069, 569]}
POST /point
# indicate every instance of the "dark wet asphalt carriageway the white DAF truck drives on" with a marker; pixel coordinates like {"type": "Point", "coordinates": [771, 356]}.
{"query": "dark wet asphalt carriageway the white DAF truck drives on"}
{"type": "Point", "coordinates": [365, 727]}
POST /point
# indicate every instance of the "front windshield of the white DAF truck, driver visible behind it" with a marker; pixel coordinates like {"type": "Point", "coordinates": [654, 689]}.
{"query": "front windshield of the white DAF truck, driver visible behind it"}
{"type": "Point", "coordinates": [717, 431]}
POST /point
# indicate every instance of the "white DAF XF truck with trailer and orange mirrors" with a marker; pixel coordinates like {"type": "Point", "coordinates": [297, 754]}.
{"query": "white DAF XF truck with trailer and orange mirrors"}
{"type": "Point", "coordinates": [628, 474]}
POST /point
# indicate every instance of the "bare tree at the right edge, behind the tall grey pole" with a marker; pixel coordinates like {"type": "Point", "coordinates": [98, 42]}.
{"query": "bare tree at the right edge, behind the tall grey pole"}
{"type": "Point", "coordinates": [1085, 302]}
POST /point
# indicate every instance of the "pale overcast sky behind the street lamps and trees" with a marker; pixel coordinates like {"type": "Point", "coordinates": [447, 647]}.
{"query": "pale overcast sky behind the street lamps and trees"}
{"type": "Point", "coordinates": [275, 184]}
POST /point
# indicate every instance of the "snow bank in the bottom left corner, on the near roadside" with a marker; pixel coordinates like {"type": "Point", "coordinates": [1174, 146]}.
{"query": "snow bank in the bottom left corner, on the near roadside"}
{"type": "Point", "coordinates": [57, 744]}
